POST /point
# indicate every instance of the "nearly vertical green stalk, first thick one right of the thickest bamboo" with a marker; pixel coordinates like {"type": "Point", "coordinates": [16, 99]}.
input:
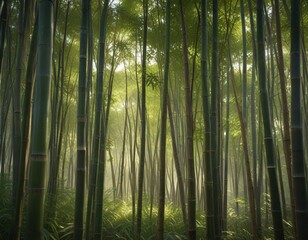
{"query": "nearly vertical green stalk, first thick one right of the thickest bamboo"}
{"type": "Point", "coordinates": [81, 125]}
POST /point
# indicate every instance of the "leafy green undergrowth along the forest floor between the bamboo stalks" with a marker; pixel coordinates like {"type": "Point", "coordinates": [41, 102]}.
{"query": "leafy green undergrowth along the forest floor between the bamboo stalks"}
{"type": "Point", "coordinates": [117, 220]}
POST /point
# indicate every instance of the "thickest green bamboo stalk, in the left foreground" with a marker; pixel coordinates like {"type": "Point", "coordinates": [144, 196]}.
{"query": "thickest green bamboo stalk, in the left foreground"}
{"type": "Point", "coordinates": [38, 158]}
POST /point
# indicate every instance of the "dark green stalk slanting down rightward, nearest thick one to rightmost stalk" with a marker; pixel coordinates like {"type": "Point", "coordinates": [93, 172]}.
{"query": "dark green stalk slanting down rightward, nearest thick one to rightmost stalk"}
{"type": "Point", "coordinates": [267, 123]}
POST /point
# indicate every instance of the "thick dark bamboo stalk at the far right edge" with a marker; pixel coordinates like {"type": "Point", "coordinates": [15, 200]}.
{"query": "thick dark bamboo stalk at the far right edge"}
{"type": "Point", "coordinates": [299, 179]}
